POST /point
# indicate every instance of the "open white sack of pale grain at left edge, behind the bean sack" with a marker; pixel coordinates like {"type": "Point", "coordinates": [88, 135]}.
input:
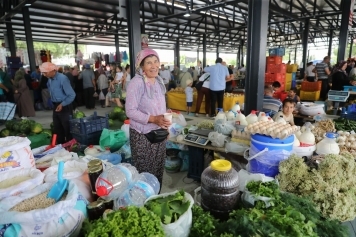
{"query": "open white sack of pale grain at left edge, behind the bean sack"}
{"type": "Point", "coordinates": [14, 183]}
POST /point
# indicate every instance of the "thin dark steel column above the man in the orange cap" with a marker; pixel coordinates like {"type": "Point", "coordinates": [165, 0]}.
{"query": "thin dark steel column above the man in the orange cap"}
{"type": "Point", "coordinates": [29, 40]}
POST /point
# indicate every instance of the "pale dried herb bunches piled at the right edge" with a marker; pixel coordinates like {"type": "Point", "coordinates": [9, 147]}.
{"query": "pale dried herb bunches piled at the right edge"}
{"type": "Point", "coordinates": [331, 186]}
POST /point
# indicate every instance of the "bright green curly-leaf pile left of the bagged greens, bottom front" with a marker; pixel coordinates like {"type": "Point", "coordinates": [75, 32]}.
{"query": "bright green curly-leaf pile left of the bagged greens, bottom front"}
{"type": "Point", "coordinates": [129, 222]}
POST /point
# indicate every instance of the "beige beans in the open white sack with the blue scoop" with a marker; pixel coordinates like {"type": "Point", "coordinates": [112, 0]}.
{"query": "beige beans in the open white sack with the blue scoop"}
{"type": "Point", "coordinates": [37, 202]}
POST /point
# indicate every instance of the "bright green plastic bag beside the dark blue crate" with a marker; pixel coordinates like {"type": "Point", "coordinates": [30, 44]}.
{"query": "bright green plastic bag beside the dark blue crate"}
{"type": "Point", "coordinates": [114, 139]}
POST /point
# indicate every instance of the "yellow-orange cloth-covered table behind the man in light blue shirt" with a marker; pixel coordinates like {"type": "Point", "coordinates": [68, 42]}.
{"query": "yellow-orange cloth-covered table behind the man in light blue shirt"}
{"type": "Point", "coordinates": [178, 101]}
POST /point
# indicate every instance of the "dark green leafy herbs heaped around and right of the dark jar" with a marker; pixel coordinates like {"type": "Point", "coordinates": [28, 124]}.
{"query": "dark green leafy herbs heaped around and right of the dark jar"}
{"type": "Point", "coordinates": [291, 216]}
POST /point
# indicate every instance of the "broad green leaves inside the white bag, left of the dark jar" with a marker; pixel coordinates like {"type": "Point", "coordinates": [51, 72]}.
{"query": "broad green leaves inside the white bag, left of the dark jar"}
{"type": "Point", "coordinates": [169, 208]}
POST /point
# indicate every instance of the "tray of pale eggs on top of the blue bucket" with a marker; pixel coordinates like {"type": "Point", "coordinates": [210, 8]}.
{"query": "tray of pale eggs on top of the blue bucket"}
{"type": "Point", "coordinates": [273, 129]}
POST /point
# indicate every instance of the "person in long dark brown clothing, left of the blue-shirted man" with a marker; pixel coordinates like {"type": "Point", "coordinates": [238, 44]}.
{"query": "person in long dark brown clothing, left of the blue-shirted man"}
{"type": "Point", "coordinates": [22, 96]}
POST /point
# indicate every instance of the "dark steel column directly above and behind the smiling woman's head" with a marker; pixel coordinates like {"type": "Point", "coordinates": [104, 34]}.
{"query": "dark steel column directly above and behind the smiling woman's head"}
{"type": "Point", "coordinates": [134, 30]}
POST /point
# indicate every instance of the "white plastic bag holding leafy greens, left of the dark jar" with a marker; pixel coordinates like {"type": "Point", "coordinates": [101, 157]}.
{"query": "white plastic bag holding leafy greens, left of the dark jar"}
{"type": "Point", "coordinates": [181, 227]}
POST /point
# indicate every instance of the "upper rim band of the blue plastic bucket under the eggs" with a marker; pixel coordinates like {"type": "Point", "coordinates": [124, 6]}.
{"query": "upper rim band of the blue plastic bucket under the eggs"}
{"type": "Point", "coordinates": [261, 142]}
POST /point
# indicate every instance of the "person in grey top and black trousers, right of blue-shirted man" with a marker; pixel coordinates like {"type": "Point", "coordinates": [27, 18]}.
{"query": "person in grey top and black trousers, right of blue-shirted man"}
{"type": "Point", "coordinates": [89, 86]}
